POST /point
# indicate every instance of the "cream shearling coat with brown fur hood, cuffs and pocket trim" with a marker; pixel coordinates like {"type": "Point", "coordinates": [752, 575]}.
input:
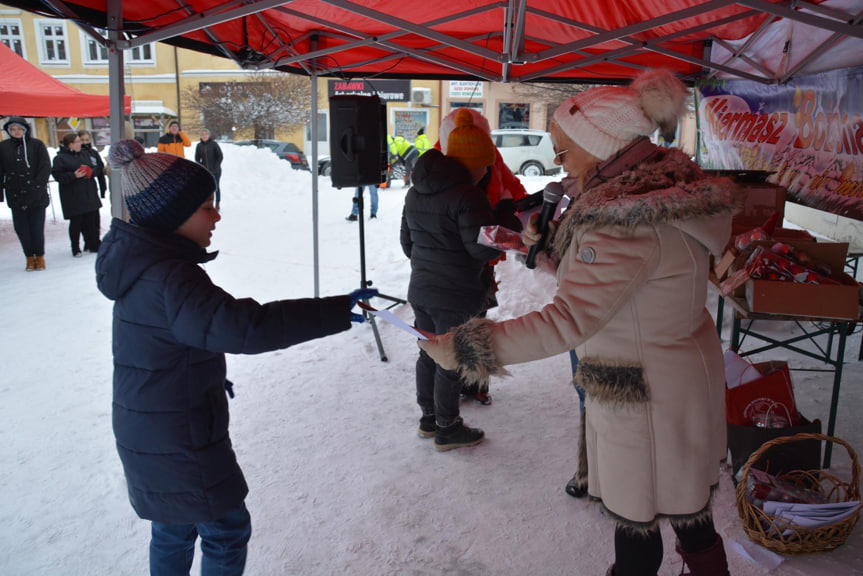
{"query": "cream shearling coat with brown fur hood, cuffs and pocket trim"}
{"type": "Point", "coordinates": [632, 286]}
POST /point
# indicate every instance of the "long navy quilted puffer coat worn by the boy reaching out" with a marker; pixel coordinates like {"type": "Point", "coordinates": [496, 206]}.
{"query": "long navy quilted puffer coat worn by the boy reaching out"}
{"type": "Point", "coordinates": [172, 328]}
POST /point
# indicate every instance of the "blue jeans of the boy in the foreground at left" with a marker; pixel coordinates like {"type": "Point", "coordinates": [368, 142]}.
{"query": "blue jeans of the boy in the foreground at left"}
{"type": "Point", "coordinates": [223, 544]}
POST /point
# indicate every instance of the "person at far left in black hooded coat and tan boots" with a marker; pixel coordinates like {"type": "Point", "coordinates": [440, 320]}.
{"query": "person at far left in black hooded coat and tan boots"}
{"type": "Point", "coordinates": [25, 168]}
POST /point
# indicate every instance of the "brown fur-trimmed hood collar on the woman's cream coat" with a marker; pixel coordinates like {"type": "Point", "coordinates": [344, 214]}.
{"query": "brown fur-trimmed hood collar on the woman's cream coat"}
{"type": "Point", "coordinates": [665, 189]}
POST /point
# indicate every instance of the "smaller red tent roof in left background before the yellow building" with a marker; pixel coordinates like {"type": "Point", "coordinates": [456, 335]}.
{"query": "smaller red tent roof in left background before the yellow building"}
{"type": "Point", "coordinates": [27, 91]}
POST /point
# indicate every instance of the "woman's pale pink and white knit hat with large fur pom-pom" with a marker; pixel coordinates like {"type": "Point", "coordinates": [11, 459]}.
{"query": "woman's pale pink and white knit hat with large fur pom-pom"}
{"type": "Point", "coordinates": [604, 120]}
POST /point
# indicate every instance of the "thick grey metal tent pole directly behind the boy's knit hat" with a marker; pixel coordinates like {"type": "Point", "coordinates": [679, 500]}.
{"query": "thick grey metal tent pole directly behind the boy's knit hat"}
{"type": "Point", "coordinates": [117, 91]}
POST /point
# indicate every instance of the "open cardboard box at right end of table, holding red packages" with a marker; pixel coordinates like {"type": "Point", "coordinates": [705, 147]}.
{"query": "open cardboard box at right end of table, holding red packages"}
{"type": "Point", "coordinates": [832, 301]}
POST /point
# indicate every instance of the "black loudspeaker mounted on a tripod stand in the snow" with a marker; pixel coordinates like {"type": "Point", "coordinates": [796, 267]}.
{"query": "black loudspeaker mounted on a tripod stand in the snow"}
{"type": "Point", "coordinates": [358, 140]}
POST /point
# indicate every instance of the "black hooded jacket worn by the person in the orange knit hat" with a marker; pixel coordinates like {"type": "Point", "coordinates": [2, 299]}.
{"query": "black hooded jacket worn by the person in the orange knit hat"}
{"type": "Point", "coordinates": [442, 216]}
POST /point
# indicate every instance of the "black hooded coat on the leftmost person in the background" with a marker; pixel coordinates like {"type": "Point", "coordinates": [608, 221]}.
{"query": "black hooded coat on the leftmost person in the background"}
{"type": "Point", "coordinates": [25, 168]}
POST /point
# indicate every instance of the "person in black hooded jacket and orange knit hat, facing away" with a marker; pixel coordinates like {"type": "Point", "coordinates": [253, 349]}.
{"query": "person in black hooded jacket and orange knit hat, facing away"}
{"type": "Point", "coordinates": [443, 212]}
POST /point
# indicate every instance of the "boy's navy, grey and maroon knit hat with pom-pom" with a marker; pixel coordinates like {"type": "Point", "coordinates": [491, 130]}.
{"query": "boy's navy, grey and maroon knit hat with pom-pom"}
{"type": "Point", "coordinates": [161, 190]}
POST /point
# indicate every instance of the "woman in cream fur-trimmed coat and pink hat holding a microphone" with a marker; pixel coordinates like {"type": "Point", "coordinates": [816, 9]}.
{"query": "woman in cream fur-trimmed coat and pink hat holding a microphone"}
{"type": "Point", "coordinates": [632, 254]}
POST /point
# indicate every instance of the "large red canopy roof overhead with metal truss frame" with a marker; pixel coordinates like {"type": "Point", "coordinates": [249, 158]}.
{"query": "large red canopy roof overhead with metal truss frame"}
{"type": "Point", "coordinates": [494, 40]}
